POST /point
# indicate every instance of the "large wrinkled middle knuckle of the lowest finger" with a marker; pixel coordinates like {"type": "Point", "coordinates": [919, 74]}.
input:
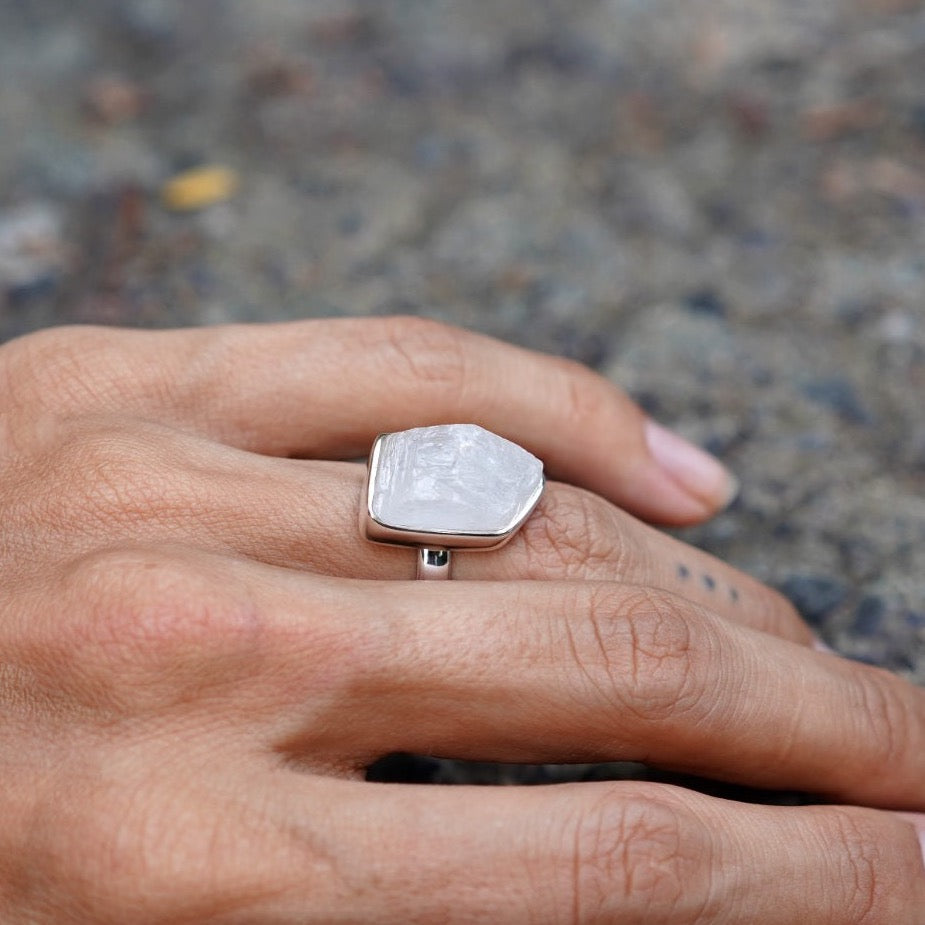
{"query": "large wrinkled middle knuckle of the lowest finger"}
{"type": "Point", "coordinates": [645, 858]}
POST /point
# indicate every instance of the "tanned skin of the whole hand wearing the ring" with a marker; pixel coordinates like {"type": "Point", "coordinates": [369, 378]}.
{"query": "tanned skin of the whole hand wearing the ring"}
{"type": "Point", "coordinates": [199, 657]}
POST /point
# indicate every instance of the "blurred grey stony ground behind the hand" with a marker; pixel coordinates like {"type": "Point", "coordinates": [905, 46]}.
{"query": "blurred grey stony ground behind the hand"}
{"type": "Point", "coordinates": [720, 204]}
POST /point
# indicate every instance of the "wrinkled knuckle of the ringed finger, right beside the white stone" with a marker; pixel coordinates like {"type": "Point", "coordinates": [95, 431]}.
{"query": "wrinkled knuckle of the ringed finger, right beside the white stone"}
{"type": "Point", "coordinates": [571, 533]}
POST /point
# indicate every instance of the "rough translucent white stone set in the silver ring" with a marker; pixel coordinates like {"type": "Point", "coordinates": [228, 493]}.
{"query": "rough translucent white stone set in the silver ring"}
{"type": "Point", "coordinates": [453, 478]}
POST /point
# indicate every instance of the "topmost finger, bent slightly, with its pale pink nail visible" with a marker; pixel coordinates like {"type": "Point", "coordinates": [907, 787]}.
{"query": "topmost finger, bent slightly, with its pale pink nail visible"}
{"type": "Point", "coordinates": [327, 388]}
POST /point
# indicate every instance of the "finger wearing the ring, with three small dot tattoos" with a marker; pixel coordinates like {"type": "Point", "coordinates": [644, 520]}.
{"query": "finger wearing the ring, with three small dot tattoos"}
{"type": "Point", "coordinates": [572, 535]}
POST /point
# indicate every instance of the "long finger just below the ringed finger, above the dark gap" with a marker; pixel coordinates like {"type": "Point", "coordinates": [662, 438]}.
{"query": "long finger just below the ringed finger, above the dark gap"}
{"type": "Point", "coordinates": [543, 672]}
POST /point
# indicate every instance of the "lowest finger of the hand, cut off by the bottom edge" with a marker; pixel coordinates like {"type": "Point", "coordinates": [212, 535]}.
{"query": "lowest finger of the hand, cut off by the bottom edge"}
{"type": "Point", "coordinates": [589, 853]}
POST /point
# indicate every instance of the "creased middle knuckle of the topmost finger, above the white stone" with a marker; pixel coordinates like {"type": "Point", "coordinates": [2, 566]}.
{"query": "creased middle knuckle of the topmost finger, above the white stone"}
{"type": "Point", "coordinates": [423, 351]}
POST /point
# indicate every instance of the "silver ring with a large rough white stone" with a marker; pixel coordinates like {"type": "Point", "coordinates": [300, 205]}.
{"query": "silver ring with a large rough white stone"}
{"type": "Point", "coordinates": [448, 487]}
